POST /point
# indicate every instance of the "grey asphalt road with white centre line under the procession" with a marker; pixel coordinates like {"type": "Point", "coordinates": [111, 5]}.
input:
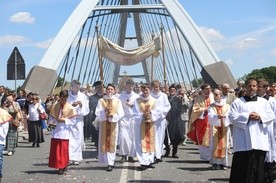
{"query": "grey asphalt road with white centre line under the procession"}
{"type": "Point", "coordinates": [30, 164]}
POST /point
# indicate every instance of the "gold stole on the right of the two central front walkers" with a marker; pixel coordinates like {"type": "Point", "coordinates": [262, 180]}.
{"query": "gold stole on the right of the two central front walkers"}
{"type": "Point", "coordinates": [147, 127]}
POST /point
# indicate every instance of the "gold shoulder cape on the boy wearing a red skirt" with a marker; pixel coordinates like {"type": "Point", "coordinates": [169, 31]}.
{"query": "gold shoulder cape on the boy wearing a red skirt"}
{"type": "Point", "coordinates": [67, 111]}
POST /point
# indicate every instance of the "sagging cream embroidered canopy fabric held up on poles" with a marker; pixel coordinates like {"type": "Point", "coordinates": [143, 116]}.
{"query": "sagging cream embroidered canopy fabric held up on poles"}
{"type": "Point", "coordinates": [119, 55]}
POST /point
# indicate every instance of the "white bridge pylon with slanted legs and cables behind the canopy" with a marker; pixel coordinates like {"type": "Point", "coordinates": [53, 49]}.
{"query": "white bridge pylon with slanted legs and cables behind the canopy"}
{"type": "Point", "coordinates": [147, 18]}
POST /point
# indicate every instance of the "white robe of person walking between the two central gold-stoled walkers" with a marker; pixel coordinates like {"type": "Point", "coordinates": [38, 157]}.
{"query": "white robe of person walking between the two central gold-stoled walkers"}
{"type": "Point", "coordinates": [127, 125]}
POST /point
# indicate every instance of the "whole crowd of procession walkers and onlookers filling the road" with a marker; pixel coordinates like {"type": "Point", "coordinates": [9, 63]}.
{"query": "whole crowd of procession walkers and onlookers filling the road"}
{"type": "Point", "coordinates": [145, 121]}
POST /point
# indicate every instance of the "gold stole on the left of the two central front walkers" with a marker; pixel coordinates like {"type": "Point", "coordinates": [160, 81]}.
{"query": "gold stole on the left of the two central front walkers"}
{"type": "Point", "coordinates": [108, 129]}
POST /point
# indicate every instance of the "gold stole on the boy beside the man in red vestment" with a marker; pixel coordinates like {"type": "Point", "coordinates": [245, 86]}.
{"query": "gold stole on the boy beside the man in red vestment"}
{"type": "Point", "coordinates": [220, 133]}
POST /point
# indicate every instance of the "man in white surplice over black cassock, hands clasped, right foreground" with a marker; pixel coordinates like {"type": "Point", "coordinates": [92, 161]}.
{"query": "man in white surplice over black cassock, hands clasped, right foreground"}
{"type": "Point", "coordinates": [250, 116]}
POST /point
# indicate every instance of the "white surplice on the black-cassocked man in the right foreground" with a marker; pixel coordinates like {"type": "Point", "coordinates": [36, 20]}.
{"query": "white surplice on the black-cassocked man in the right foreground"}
{"type": "Point", "coordinates": [250, 134]}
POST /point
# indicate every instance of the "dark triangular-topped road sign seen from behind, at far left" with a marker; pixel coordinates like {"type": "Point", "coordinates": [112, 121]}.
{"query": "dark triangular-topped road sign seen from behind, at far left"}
{"type": "Point", "coordinates": [15, 66]}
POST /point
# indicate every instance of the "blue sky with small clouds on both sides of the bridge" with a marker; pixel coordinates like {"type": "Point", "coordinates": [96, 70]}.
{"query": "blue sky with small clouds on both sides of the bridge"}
{"type": "Point", "coordinates": [242, 33]}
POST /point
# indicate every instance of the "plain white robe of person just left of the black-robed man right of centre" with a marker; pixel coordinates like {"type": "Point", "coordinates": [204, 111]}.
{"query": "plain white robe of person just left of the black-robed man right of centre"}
{"type": "Point", "coordinates": [163, 106]}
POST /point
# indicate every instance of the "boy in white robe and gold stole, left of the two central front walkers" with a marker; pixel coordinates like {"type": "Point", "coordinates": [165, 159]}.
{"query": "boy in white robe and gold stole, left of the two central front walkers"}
{"type": "Point", "coordinates": [108, 111]}
